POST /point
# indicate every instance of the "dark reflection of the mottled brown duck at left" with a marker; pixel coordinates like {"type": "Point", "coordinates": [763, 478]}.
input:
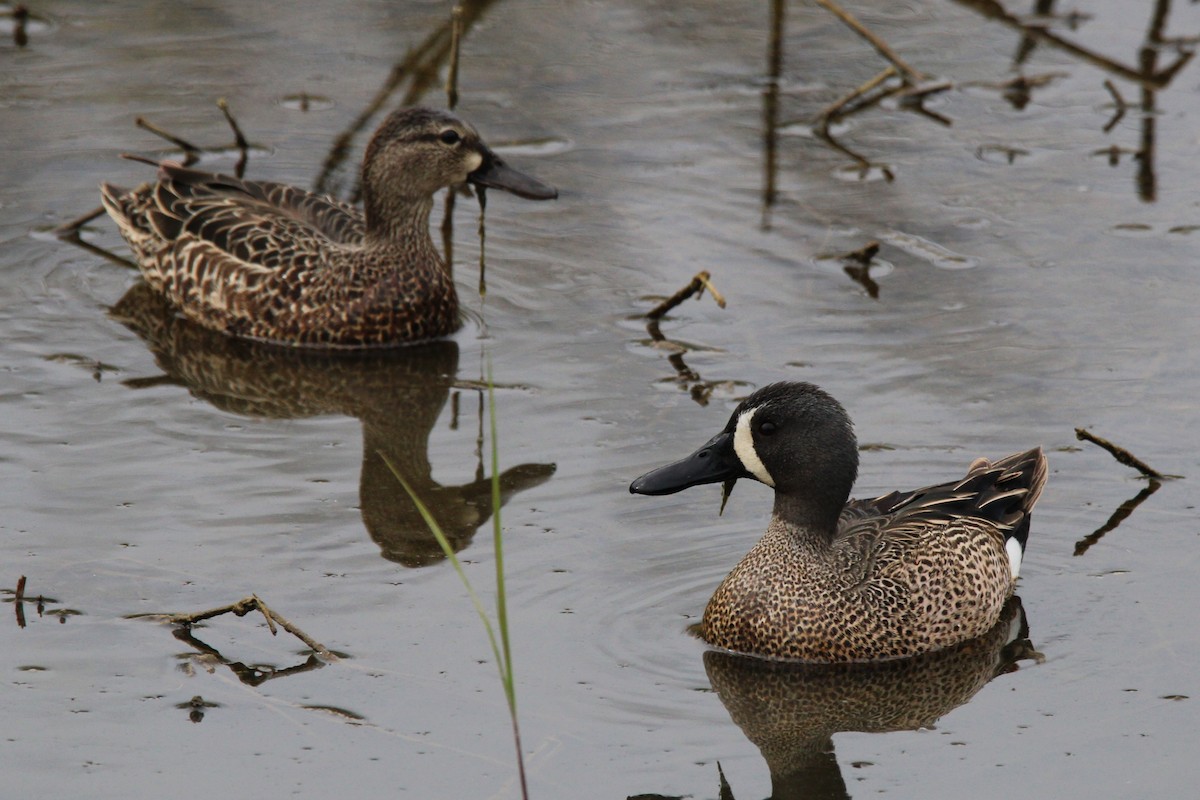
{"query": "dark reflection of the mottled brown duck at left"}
{"type": "Point", "coordinates": [397, 394]}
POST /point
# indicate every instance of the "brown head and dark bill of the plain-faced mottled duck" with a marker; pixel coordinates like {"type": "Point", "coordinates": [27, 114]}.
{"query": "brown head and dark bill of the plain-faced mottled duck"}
{"type": "Point", "coordinates": [418, 152]}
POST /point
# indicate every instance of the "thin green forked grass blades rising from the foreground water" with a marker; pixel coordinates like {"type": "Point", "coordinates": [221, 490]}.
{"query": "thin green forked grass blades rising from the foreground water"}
{"type": "Point", "coordinates": [497, 635]}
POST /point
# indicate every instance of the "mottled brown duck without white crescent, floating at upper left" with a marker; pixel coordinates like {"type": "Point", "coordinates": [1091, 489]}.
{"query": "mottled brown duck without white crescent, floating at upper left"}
{"type": "Point", "coordinates": [272, 262]}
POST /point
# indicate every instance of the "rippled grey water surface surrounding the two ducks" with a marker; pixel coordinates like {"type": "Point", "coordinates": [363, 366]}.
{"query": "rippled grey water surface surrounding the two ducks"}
{"type": "Point", "coordinates": [1027, 286]}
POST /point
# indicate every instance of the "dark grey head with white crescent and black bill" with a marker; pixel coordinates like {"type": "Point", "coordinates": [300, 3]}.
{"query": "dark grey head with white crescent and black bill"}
{"type": "Point", "coordinates": [793, 437]}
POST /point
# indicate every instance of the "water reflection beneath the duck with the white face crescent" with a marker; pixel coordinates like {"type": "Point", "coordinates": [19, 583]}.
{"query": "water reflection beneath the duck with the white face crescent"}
{"type": "Point", "coordinates": [791, 711]}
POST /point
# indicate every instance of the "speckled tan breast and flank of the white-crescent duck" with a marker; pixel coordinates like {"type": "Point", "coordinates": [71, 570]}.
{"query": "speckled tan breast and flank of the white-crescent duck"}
{"type": "Point", "coordinates": [869, 596]}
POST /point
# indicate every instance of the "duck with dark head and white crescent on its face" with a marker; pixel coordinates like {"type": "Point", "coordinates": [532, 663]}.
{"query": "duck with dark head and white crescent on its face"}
{"type": "Point", "coordinates": [863, 580]}
